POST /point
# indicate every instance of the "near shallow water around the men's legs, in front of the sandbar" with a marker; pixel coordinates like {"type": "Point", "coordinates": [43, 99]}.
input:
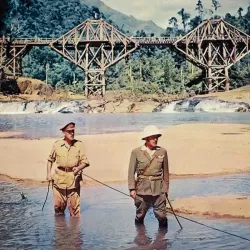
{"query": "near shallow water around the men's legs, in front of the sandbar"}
{"type": "Point", "coordinates": [107, 220]}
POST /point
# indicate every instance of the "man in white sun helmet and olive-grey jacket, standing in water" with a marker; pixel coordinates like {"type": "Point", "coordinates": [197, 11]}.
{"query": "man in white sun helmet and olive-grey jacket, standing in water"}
{"type": "Point", "coordinates": [150, 163]}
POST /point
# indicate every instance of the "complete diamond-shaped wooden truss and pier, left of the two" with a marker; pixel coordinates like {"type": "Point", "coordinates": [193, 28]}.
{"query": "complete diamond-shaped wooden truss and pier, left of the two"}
{"type": "Point", "coordinates": [94, 45]}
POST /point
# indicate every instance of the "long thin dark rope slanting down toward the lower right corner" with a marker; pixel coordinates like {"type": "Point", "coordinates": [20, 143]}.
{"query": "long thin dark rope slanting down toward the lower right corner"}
{"type": "Point", "coordinates": [185, 218]}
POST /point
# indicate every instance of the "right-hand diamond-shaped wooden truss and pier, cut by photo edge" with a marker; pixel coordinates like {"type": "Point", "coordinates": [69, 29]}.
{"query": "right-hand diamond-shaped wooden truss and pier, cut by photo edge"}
{"type": "Point", "coordinates": [214, 46]}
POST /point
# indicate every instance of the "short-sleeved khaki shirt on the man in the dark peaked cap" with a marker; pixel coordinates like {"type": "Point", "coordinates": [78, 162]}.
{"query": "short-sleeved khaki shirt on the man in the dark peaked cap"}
{"type": "Point", "coordinates": [67, 156]}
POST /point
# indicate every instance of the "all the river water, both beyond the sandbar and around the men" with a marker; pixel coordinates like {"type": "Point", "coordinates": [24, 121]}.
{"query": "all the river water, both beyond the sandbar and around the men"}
{"type": "Point", "coordinates": [107, 220]}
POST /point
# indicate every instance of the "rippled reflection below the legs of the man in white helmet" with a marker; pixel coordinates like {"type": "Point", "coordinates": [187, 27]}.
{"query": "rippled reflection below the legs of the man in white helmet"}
{"type": "Point", "coordinates": [143, 241]}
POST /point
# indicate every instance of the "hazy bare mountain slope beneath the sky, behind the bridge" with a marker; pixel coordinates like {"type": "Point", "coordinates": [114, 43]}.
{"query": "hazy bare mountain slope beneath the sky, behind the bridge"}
{"type": "Point", "coordinates": [127, 23]}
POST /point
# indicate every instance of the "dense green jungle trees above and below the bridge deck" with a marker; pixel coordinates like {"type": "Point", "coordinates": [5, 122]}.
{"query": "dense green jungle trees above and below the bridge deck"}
{"type": "Point", "coordinates": [149, 69]}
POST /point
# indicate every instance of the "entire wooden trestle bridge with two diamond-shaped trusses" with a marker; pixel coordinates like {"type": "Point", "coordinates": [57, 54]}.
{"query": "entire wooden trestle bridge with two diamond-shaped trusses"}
{"type": "Point", "coordinates": [95, 45]}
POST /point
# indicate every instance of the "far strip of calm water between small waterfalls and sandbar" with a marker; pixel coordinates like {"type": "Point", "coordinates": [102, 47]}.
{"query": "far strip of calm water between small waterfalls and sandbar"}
{"type": "Point", "coordinates": [48, 125]}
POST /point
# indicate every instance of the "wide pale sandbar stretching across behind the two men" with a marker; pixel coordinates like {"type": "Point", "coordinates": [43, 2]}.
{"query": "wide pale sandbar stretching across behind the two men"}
{"type": "Point", "coordinates": [195, 149]}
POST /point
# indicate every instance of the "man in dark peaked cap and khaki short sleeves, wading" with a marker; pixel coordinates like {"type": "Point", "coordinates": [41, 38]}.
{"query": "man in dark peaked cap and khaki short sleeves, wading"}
{"type": "Point", "coordinates": [70, 158]}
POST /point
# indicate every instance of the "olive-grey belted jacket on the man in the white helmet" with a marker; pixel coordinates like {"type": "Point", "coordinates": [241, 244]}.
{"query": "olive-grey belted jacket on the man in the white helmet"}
{"type": "Point", "coordinates": [140, 158]}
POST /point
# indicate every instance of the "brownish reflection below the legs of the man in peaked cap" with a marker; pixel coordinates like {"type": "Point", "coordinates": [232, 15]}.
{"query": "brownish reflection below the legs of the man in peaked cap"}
{"type": "Point", "coordinates": [68, 233]}
